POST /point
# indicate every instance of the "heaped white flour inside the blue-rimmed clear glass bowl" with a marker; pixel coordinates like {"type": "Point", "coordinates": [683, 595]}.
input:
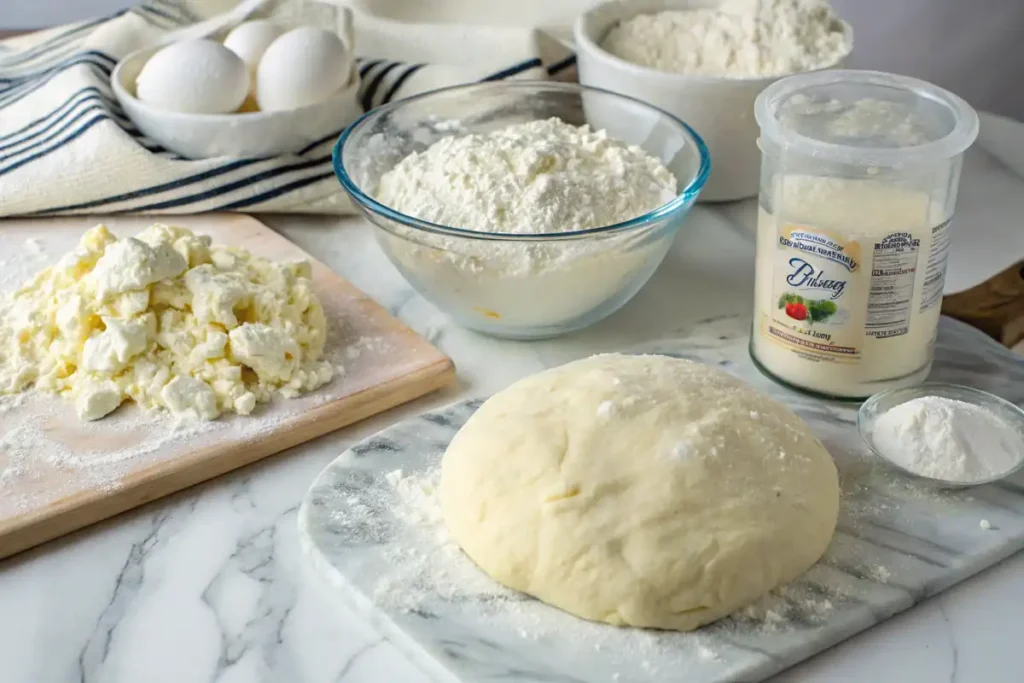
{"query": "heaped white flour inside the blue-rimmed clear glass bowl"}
{"type": "Point", "coordinates": [539, 178]}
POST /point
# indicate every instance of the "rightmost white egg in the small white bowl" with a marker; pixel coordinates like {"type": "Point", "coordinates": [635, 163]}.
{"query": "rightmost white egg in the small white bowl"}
{"type": "Point", "coordinates": [304, 67]}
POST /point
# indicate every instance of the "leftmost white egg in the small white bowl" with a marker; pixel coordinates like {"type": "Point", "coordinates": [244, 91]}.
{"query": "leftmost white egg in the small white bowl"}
{"type": "Point", "coordinates": [194, 77]}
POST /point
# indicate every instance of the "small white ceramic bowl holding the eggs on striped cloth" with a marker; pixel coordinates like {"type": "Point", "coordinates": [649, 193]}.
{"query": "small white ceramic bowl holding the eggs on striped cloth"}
{"type": "Point", "coordinates": [245, 136]}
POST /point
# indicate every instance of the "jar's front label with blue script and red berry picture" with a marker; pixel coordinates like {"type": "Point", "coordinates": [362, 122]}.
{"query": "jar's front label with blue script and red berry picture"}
{"type": "Point", "coordinates": [819, 289]}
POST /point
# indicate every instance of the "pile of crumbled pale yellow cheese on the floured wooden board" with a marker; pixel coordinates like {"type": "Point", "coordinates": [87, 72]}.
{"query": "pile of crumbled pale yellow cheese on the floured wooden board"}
{"type": "Point", "coordinates": [165, 320]}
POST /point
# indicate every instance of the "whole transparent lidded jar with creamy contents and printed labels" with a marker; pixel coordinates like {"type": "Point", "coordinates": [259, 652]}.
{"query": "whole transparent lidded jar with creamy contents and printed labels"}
{"type": "Point", "coordinates": [860, 177]}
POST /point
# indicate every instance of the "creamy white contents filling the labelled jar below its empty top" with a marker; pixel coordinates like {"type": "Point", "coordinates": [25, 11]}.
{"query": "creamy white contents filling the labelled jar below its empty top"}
{"type": "Point", "coordinates": [849, 285]}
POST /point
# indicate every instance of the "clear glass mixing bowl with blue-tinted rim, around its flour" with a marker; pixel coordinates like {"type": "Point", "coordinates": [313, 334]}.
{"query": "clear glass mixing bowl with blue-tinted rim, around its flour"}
{"type": "Point", "coordinates": [517, 286]}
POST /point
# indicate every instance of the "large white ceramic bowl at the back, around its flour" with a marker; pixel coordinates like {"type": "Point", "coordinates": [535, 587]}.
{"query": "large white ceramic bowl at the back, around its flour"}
{"type": "Point", "coordinates": [720, 109]}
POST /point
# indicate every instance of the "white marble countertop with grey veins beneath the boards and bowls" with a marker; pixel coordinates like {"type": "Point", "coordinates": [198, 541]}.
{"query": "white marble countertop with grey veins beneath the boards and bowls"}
{"type": "Point", "coordinates": [209, 585]}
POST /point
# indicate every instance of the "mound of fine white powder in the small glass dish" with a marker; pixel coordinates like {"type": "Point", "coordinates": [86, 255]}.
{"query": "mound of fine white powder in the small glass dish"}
{"type": "Point", "coordinates": [944, 439]}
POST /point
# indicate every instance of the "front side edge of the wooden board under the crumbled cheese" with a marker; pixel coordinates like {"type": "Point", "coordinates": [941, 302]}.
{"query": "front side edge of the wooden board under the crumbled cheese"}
{"type": "Point", "coordinates": [169, 478]}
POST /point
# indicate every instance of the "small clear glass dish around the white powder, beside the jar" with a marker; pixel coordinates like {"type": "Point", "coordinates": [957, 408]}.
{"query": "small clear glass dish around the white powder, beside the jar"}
{"type": "Point", "coordinates": [884, 401]}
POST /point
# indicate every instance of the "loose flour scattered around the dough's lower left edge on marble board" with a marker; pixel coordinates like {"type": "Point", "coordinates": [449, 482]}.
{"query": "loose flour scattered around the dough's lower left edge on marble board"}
{"type": "Point", "coordinates": [428, 568]}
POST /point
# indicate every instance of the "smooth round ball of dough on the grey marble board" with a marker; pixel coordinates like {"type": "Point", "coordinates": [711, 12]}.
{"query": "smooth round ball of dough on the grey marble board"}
{"type": "Point", "coordinates": [639, 491]}
